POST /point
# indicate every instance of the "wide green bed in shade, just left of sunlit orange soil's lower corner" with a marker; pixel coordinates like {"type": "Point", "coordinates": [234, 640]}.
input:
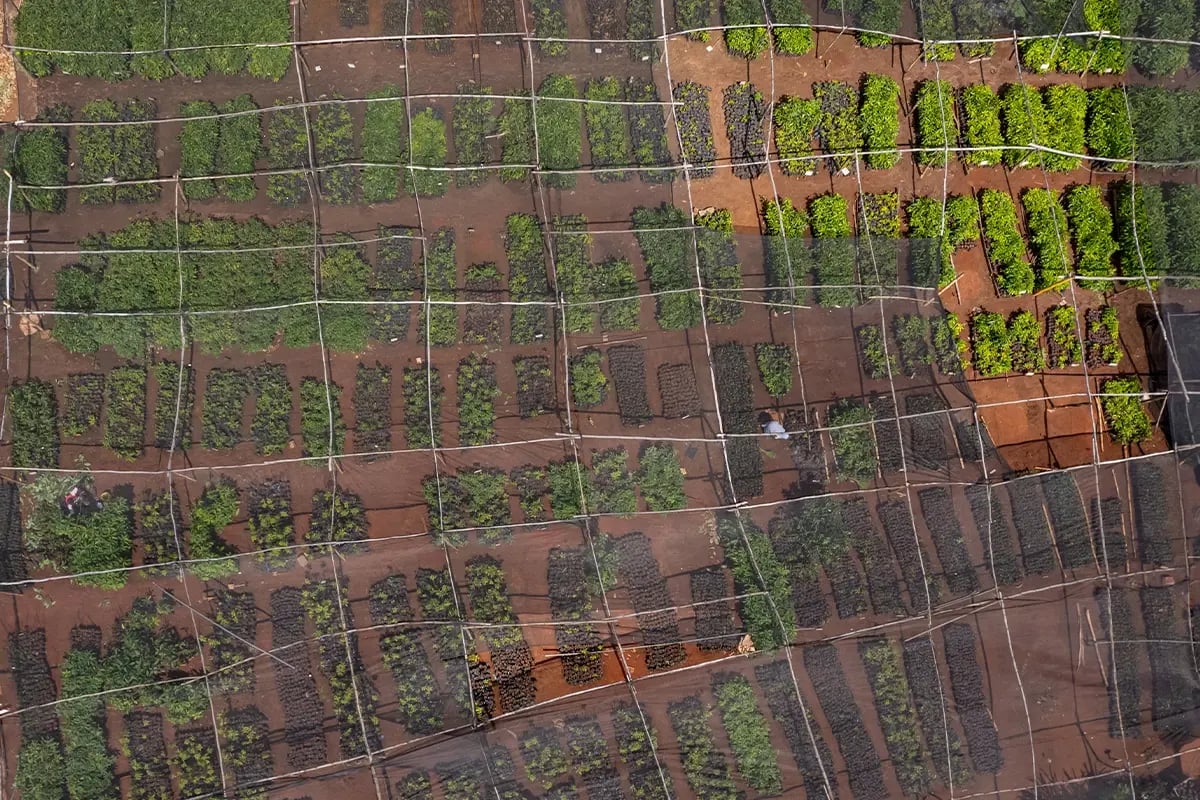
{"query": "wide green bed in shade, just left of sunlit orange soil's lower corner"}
{"type": "Point", "coordinates": [670, 264]}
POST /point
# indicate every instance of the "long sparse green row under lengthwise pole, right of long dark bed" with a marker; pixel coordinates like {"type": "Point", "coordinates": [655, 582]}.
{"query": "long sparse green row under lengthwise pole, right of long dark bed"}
{"type": "Point", "coordinates": [353, 694]}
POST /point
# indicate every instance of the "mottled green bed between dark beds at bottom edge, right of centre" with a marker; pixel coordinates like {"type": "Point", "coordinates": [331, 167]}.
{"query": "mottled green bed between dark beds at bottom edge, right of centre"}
{"type": "Point", "coordinates": [898, 718]}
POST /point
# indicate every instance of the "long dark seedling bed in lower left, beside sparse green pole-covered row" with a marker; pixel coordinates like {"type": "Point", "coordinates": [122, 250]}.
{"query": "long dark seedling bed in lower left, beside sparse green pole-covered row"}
{"type": "Point", "coordinates": [304, 713]}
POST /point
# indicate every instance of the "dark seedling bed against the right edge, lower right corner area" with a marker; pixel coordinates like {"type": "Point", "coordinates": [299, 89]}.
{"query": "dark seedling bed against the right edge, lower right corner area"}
{"type": "Point", "coordinates": [1173, 688]}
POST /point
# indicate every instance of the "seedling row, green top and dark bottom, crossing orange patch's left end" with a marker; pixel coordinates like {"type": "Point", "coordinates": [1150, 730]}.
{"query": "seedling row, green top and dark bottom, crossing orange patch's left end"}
{"type": "Point", "coordinates": [511, 657]}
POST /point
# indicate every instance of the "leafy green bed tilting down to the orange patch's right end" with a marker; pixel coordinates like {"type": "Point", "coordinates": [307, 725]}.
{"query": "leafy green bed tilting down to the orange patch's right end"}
{"type": "Point", "coordinates": [749, 555]}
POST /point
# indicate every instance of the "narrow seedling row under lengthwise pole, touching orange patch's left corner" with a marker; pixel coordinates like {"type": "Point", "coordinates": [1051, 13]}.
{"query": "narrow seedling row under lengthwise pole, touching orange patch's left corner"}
{"type": "Point", "coordinates": [469, 677]}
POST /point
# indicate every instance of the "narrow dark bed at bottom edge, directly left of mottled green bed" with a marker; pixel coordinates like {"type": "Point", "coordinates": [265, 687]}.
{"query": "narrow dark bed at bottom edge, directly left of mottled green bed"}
{"type": "Point", "coordinates": [845, 721]}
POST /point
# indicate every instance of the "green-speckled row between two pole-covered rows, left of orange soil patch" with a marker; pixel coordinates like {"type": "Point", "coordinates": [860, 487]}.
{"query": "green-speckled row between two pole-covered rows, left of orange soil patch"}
{"type": "Point", "coordinates": [403, 649]}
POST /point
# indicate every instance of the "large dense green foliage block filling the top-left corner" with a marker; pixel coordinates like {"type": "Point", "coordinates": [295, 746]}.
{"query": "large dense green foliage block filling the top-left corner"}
{"type": "Point", "coordinates": [116, 28]}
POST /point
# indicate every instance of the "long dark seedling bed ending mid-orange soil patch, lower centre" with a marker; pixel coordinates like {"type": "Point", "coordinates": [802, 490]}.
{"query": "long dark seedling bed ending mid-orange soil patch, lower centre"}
{"type": "Point", "coordinates": [652, 601]}
